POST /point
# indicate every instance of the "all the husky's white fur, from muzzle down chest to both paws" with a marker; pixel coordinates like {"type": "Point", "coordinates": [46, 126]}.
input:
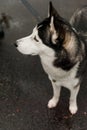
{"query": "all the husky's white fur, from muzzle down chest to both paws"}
{"type": "Point", "coordinates": [29, 46]}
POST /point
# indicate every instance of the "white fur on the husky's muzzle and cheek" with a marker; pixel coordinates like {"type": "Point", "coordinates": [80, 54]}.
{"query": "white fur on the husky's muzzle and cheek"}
{"type": "Point", "coordinates": [29, 46]}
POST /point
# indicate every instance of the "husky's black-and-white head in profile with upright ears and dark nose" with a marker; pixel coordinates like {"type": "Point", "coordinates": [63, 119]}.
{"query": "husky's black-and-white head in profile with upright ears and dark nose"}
{"type": "Point", "coordinates": [51, 34]}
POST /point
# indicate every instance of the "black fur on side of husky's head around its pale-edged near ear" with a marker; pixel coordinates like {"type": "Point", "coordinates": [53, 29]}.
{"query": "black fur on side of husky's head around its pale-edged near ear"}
{"type": "Point", "coordinates": [46, 35]}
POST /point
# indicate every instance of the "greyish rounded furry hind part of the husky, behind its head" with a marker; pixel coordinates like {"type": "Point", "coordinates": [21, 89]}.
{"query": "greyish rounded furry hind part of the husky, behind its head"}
{"type": "Point", "coordinates": [79, 22]}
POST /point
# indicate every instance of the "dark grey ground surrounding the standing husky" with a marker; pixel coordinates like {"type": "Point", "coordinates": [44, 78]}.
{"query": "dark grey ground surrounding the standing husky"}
{"type": "Point", "coordinates": [24, 87]}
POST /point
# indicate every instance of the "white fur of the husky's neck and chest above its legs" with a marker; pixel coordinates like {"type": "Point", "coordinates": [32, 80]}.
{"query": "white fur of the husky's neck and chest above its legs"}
{"type": "Point", "coordinates": [63, 78]}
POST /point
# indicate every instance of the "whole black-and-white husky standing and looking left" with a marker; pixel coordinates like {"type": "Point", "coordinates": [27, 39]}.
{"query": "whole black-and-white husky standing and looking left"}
{"type": "Point", "coordinates": [62, 50]}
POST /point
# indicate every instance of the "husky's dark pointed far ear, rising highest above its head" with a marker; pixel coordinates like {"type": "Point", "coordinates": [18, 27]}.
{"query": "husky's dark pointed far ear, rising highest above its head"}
{"type": "Point", "coordinates": [52, 11]}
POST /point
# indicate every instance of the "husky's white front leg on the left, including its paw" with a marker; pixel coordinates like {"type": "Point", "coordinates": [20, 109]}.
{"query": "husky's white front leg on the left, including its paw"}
{"type": "Point", "coordinates": [56, 94]}
